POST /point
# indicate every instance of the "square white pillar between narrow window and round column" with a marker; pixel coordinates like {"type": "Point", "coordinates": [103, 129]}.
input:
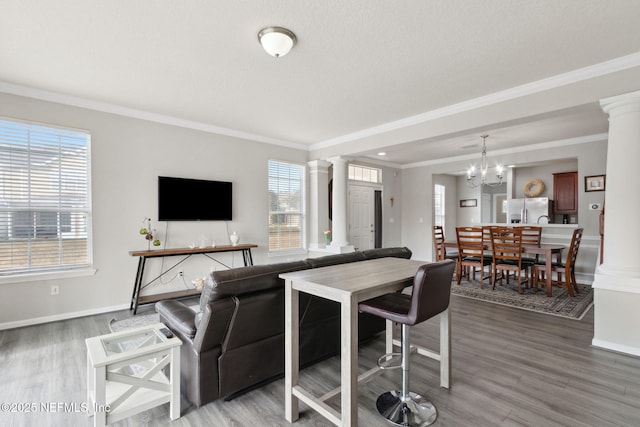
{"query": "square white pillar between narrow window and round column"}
{"type": "Point", "coordinates": [318, 202]}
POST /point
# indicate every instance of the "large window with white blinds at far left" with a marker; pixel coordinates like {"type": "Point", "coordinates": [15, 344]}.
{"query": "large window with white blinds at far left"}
{"type": "Point", "coordinates": [44, 198]}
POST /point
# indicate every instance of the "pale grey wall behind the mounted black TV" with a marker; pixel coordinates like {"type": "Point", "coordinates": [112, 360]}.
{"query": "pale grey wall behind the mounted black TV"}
{"type": "Point", "coordinates": [127, 156]}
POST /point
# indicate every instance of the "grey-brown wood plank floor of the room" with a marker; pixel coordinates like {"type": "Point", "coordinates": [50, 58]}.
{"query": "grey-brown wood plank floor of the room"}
{"type": "Point", "coordinates": [510, 368]}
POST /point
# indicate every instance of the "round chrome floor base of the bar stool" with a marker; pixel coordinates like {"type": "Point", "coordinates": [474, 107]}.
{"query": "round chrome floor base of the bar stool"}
{"type": "Point", "coordinates": [415, 411]}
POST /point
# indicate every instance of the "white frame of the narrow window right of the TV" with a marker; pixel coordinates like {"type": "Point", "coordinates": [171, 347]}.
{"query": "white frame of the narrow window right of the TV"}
{"type": "Point", "coordinates": [301, 212]}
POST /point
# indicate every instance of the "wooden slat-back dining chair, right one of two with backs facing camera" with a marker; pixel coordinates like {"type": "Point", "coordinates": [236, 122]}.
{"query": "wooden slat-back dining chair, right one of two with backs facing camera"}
{"type": "Point", "coordinates": [506, 246]}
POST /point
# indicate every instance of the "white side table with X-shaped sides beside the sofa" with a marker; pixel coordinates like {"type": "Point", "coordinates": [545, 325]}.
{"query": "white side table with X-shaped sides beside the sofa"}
{"type": "Point", "coordinates": [125, 373]}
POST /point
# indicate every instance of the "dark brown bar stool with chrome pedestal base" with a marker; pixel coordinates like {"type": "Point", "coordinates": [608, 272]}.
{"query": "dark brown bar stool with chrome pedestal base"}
{"type": "Point", "coordinates": [429, 297]}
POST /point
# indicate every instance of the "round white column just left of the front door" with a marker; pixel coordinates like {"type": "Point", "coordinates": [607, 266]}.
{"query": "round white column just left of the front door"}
{"type": "Point", "coordinates": [339, 243]}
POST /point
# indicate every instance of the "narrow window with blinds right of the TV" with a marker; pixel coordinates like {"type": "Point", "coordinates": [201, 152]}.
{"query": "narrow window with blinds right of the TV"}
{"type": "Point", "coordinates": [286, 206]}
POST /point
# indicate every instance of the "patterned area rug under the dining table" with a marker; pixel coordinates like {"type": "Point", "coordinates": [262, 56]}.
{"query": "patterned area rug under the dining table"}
{"type": "Point", "coordinates": [560, 304]}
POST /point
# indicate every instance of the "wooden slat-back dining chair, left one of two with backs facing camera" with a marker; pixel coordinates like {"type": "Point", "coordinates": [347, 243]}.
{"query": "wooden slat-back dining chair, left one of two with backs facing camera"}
{"type": "Point", "coordinates": [471, 247]}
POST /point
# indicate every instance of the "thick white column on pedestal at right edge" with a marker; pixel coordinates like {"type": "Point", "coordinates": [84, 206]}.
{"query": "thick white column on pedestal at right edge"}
{"type": "Point", "coordinates": [617, 281]}
